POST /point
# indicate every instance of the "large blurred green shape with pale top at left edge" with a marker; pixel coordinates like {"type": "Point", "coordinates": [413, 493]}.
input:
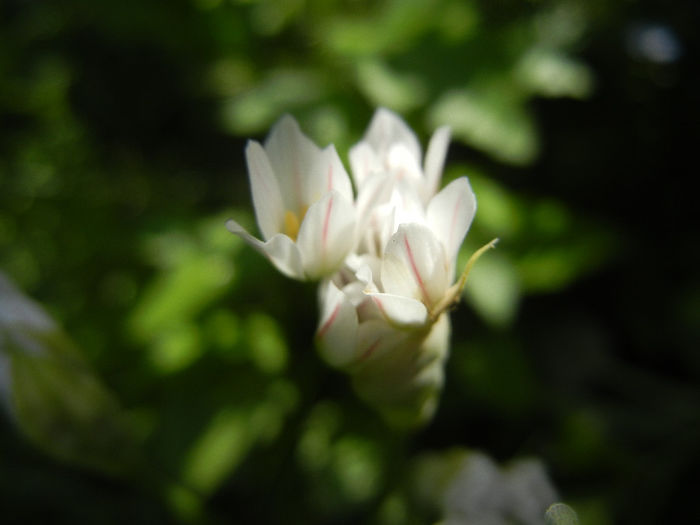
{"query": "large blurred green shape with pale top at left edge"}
{"type": "Point", "coordinates": [54, 396]}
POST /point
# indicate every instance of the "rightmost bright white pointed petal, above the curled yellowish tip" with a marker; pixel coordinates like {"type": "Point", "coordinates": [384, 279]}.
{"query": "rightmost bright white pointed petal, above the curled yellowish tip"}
{"type": "Point", "coordinates": [450, 213]}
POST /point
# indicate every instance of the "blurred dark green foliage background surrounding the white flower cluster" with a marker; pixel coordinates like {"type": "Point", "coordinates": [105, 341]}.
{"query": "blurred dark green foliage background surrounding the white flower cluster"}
{"type": "Point", "coordinates": [122, 128]}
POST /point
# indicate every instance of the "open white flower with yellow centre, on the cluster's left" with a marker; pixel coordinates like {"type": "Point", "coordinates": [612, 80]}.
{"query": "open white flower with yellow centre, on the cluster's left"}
{"type": "Point", "coordinates": [303, 203]}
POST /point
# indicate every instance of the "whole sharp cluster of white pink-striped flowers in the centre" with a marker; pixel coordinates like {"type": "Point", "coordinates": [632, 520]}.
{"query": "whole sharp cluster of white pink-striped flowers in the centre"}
{"type": "Point", "coordinates": [385, 259]}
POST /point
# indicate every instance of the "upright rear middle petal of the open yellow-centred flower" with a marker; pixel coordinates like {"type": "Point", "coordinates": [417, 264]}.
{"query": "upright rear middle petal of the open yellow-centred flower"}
{"type": "Point", "coordinates": [293, 157]}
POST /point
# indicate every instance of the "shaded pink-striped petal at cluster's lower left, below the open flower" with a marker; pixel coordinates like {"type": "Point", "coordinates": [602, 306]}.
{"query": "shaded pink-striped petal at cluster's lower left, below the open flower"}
{"type": "Point", "coordinates": [337, 332]}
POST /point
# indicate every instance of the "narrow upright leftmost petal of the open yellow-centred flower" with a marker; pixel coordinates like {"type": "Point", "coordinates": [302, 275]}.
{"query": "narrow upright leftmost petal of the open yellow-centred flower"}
{"type": "Point", "coordinates": [267, 200]}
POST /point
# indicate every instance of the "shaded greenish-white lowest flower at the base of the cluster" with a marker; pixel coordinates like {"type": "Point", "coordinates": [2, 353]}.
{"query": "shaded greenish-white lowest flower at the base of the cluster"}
{"type": "Point", "coordinates": [396, 368]}
